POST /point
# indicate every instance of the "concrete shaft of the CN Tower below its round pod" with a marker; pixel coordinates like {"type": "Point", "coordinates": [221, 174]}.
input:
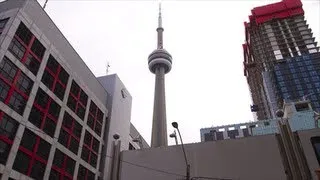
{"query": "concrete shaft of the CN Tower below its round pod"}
{"type": "Point", "coordinates": [159, 124]}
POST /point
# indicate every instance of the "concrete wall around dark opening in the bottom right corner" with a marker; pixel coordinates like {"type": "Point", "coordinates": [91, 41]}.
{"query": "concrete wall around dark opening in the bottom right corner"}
{"type": "Point", "coordinates": [308, 149]}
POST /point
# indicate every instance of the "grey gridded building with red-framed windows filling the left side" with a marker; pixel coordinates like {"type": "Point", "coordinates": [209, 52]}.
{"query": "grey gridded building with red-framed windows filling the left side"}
{"type": "Point", "coordinates": [56, 117]}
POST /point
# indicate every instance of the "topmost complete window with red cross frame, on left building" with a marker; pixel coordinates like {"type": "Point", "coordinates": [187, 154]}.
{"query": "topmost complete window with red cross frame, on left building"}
{"type": "Point", "coordinates": [27, 48]}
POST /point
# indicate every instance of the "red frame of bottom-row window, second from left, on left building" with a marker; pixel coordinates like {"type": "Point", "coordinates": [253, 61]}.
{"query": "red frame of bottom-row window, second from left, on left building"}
{"type": "Point", "coordinates": [32, 154]}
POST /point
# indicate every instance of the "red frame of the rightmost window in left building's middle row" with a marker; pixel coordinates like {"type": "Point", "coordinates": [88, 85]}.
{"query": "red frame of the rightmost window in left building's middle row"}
{"type": "Point", "coordinates": [90, 146]}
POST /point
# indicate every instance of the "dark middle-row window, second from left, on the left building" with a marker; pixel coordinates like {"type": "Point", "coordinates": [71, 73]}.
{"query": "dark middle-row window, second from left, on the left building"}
{"type": "Point", "coordinates": [44, 113]}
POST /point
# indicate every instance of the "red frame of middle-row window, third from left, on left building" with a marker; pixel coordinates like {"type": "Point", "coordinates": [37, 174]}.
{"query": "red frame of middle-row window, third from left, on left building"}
{"type": "Point", "coordinates": [70, 132]}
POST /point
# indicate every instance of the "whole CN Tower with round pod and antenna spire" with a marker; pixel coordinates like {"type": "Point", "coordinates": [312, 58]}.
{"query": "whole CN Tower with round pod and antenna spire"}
{"type": "Point", "coordinates": [160, 62]}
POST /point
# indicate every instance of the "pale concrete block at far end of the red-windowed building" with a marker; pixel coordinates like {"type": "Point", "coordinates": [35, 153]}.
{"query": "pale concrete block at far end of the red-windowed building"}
{"type": "Point", "coordinates": [119, 107]}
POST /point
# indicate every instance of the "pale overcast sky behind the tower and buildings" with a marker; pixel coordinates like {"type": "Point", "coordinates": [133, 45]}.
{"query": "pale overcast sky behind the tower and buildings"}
{"type": "Point", "coordinates": [205, 87]}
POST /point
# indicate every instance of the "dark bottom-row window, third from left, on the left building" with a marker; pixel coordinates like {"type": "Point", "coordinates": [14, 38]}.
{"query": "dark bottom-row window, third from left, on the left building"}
{"type": "Point", "coordinates": [62, 166]}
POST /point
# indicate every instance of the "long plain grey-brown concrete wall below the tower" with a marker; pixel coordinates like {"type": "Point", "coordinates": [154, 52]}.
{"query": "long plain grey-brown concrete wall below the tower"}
{"type": "Point", "coordinates": [249, 158]}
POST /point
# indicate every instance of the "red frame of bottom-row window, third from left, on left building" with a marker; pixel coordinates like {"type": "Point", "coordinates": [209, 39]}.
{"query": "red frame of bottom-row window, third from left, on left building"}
{"type": "Point", "coordinates": [63, 173]}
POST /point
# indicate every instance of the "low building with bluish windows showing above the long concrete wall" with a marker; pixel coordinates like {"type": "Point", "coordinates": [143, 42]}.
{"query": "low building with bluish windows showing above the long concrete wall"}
{"type": "Point", "coordinates": [299, 115]}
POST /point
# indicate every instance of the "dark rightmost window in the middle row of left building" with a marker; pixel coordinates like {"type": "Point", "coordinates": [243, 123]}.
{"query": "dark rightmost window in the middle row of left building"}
{"type": "Point", "coordinates": [90, 149]}
